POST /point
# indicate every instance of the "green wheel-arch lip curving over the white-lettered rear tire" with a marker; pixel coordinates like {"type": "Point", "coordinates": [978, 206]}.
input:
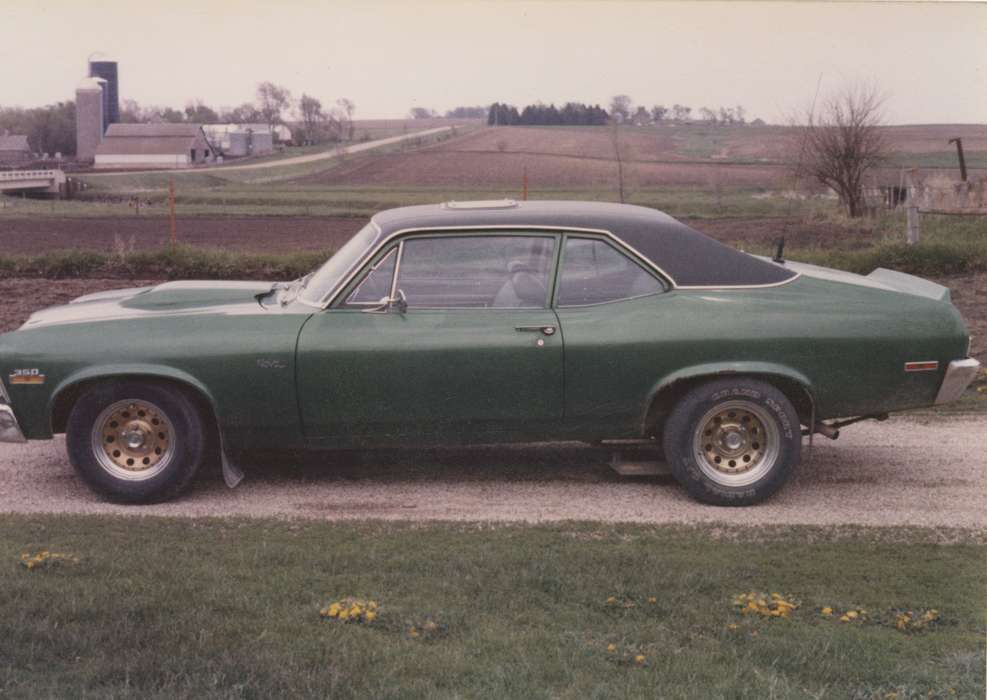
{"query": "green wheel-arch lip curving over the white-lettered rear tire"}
{"type": "Point", "coordinates": [795, 385]}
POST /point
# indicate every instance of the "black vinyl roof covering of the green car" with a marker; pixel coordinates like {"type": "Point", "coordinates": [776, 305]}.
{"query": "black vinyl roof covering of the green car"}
{"type": "Point", "coordinates": [688, 257]}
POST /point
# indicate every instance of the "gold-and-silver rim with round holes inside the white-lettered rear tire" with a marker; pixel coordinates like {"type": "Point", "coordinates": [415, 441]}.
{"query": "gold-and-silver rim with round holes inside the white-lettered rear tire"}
{"type": "Point", "coordinates": [736, 443]}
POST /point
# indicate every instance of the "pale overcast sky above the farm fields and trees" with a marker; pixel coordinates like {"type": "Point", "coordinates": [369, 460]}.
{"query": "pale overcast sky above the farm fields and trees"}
{"type": "Point", "coordinates": [930, 58]}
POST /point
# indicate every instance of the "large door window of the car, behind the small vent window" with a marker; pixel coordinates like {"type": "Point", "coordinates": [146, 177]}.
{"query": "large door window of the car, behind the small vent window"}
{"type": "Point", "coordinates": [496, 272]}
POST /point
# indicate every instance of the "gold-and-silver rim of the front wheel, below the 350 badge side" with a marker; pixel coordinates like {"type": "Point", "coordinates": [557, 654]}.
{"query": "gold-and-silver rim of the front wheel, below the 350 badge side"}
{"type": "Point", "coordinates": [133, 440]}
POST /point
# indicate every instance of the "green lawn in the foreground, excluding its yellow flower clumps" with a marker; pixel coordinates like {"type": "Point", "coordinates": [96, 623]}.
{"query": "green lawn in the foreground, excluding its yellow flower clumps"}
{"type": "Point", "coordinates": [161, 608]}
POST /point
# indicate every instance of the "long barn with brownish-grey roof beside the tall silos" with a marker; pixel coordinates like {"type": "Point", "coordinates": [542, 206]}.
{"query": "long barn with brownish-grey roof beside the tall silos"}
{"type": "Point", "coordinates": [154, 146]}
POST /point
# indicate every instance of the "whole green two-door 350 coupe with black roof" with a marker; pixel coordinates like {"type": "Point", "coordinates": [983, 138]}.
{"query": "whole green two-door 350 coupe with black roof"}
{"type": "Point", "coordinates": [485, 322]}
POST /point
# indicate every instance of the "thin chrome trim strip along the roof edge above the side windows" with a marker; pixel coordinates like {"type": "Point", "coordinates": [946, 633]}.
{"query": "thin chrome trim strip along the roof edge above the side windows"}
{"type": "Point", "coordinates": [330, 297]}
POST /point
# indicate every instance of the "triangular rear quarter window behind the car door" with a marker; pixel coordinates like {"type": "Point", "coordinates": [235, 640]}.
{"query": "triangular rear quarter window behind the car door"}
{"type": "Point", "coordinates": [594, 272]}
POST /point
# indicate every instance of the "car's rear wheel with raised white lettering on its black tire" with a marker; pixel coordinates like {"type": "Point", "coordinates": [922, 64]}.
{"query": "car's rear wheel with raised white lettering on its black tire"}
{"type": "Point", "coordinates": [733, 442]}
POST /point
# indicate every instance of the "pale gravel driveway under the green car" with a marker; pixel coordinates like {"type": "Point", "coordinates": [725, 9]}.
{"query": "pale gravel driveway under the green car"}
{"type": "Point", "coordinates": [920, 472]}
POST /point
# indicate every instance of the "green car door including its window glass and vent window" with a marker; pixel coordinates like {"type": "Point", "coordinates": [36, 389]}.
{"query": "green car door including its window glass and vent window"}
{"type": "Point", "coordinates": [470, 352]}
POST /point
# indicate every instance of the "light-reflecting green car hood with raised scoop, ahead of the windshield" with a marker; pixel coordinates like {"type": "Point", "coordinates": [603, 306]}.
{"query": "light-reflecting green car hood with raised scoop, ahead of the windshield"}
{"type": "Point", "coordinates": [162, 299]}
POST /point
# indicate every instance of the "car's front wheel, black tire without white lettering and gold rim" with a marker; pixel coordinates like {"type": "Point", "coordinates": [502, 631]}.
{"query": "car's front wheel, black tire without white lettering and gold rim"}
{"type": "Point", "coordinates": [135, 442]}
